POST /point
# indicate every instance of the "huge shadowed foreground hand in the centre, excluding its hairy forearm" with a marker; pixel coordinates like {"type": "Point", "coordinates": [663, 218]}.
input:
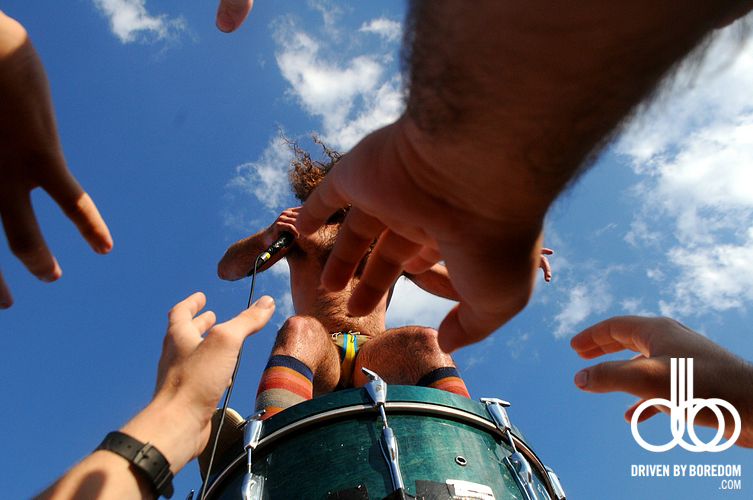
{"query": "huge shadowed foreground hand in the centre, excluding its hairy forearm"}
{"type": "Point", "coordinates": [409, 192]}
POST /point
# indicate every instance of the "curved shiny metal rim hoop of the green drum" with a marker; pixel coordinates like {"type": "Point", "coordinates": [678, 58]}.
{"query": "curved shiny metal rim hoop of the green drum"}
{"type": "Point", "coordinates": [390, 407]}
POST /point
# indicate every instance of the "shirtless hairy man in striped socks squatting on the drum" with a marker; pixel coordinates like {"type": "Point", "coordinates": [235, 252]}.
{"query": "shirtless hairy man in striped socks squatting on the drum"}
{"type": "Point", "coordinates": [323, 346]}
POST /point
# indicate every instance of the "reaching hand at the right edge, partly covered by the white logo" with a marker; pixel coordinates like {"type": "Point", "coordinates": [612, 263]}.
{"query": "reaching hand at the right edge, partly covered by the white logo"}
{"type": "Point", "coordinates": [718, 372]}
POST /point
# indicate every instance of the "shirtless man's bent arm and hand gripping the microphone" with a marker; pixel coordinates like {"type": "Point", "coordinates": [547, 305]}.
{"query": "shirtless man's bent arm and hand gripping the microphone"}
{"type": "Point", "coordinates": [240, 257]}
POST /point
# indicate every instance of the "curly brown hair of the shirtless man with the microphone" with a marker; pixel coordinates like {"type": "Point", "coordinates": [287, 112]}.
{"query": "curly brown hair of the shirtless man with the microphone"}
{"type": "Point", "coordinates": [305, 174]}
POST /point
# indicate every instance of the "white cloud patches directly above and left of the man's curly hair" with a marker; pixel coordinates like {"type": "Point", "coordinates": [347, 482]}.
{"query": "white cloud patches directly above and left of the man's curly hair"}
{"type": "Point", "coordinates": [351, 93]}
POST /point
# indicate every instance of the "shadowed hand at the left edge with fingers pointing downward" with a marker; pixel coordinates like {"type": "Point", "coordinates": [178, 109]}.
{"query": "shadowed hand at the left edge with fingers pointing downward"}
{"type": "Point", "coordinates": [31, 156]}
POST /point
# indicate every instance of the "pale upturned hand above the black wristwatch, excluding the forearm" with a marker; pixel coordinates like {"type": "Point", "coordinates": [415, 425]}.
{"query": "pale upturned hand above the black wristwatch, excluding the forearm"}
{"type": "Point", "coordinates": [197, 362]}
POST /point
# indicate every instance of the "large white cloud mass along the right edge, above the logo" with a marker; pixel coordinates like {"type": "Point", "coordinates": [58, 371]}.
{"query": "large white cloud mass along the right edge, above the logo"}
{"type": "Point", "coordinates": [695, 151]}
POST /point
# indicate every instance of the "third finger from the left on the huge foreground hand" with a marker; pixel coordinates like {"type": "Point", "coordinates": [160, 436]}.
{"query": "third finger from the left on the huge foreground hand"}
{"type": "Point", "coordinates": [384, 267]}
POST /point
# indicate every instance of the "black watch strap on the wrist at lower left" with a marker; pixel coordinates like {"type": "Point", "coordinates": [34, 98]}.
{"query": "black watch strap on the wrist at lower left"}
{"type": "Point", "coordinates": [145, 458]}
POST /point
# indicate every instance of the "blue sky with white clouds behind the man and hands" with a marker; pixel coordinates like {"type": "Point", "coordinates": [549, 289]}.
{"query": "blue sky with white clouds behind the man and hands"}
{"type": "Point", "coordinates": [173, 128]}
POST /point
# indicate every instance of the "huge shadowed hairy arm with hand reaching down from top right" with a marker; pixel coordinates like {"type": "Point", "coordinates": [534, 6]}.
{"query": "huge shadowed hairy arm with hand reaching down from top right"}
{"type": "Point", "coordinates": [507, 101]}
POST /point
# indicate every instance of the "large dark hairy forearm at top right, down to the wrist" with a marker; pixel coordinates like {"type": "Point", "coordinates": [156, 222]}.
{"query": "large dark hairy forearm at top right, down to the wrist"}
{"type": "Point", "coordinates": [539, 86]}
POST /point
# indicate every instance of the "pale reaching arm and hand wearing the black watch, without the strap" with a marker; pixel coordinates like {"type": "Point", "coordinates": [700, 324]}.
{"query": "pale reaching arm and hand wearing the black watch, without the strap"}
{"type": "Point", "coordinates": [193, 374]}
